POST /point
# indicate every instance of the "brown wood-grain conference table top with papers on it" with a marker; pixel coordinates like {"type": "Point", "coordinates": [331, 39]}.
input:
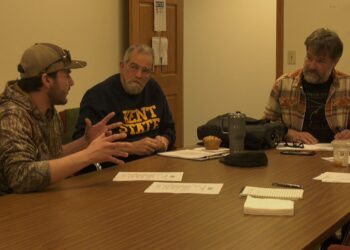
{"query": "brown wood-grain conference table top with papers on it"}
{"type": "Point", "coordinates": [92, 212]}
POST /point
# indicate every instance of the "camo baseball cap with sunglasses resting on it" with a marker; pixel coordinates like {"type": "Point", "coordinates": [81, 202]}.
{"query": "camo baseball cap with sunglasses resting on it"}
{"type": "Point", "coordinates": [46, 58]}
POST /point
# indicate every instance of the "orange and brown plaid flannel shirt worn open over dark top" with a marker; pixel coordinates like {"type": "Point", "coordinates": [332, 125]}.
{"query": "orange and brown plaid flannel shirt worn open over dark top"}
{"type": "Point", "coordinates": [287, 102]}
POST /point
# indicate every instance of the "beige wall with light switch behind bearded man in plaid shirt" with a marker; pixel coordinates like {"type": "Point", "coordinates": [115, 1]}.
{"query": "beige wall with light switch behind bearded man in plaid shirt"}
{"type": "Point", "coordinates": [301, 17]}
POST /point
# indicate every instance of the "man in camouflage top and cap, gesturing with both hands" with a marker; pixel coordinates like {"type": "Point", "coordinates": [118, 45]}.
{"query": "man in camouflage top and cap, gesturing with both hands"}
{"type": "Point", "coordinates": [31, 151]}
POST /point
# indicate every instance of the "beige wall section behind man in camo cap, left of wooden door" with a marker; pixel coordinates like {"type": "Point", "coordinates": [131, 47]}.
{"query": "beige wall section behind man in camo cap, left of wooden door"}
{"type": "Point", "coordinates": [95, 31]}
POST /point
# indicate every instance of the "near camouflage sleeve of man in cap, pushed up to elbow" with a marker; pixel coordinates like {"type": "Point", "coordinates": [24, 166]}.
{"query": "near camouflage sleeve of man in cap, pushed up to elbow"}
{"type": "Point", "coordinates": [20, 170]}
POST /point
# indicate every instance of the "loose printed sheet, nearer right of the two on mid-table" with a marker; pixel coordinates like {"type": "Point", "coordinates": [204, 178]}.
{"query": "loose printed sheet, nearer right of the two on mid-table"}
{"type": "Point", "coordinates": [184, 188]}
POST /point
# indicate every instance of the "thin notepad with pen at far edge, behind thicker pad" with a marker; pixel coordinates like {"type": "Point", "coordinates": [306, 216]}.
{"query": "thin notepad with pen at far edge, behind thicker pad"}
{"type": "Point", "coordinates": [276, 193]}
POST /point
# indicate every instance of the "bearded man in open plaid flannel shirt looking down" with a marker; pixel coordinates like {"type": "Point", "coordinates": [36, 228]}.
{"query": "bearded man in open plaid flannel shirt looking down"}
{"type": "Point", "coordinates": [314, 102]}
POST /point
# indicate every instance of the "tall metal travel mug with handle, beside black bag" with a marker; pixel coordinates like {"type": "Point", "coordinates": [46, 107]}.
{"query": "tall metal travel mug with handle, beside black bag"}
{"type": "Point", "coordinates": [236, 131]}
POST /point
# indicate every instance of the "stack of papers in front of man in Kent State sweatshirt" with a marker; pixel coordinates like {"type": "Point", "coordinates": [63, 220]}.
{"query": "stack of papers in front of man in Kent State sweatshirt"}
{"type": "Point", "coordinates": [198, 154]}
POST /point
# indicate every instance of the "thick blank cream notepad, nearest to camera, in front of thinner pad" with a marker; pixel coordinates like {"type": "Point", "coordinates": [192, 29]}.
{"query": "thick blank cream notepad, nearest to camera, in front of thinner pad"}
{"type": "Point", "coordinates": [258, 206]}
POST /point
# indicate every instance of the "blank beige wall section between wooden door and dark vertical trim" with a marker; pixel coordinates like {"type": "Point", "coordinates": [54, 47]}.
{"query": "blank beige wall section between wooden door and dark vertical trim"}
{"type": "Point", "coordinates": [229, 58]}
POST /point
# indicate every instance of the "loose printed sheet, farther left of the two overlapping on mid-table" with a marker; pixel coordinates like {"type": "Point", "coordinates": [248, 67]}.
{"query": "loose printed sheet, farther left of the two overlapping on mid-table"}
{"type": "Point", "coordinates": [148, 176]}
